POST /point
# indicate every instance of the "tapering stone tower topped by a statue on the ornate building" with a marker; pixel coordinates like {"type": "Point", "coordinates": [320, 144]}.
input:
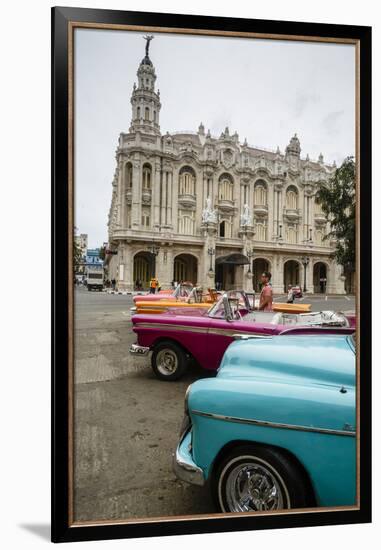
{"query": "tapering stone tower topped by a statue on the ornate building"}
{"type": "Point", "coordinates": [145, 100]}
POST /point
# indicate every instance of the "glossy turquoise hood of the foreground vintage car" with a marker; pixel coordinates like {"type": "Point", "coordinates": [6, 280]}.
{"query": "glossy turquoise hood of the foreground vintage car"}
{"type": "Point", "coordinates": [327, 360]}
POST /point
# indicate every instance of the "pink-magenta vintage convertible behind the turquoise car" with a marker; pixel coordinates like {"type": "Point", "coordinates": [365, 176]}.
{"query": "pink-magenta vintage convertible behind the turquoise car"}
{"type": "Point", "coordinates": [177, 339]}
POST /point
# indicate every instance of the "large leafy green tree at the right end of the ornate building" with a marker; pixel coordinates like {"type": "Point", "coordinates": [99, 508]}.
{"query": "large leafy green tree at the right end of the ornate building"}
{"type": "Point", "coordinates": [338, 202]}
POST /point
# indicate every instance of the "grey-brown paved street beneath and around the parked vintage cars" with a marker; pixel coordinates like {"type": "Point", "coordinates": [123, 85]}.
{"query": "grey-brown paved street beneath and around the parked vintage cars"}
{"type": "Point", "coordinates": [126, 421]}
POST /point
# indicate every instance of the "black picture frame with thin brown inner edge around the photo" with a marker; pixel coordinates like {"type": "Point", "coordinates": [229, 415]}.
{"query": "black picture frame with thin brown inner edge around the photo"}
{"type": "Point", "coordinates": [62, 529]}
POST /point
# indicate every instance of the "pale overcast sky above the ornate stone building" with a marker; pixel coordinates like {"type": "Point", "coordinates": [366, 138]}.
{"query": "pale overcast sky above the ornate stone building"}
{"type": "Point", "coordinates": [266, 90]}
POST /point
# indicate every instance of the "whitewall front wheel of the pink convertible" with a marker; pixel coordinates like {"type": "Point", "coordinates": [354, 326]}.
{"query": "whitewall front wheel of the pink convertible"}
{"type": "Point", "coordinates": [169, 361]}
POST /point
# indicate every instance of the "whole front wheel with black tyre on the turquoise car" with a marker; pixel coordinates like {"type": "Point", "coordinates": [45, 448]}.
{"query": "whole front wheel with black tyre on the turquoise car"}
{"type": "Point", "coordinates": [255, 478]}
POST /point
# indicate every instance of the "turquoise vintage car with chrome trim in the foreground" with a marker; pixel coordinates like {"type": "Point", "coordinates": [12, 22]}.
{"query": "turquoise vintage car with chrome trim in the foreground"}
{"type": "Point", "coordinates": [275, 429]}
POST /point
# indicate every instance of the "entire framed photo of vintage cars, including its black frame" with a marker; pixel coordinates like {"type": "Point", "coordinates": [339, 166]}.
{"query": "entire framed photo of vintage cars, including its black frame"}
{"type": "Point", "coordinates": [211, 274]}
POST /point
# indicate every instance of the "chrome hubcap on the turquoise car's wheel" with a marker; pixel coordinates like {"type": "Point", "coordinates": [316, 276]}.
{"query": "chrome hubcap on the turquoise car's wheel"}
{"type": "Point", "coordinates": [253, 487]}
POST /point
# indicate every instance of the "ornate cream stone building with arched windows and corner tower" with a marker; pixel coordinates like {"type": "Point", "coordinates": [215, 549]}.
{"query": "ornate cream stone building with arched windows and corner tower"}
{"type": "Point", "coordinates": [191, 206]}
